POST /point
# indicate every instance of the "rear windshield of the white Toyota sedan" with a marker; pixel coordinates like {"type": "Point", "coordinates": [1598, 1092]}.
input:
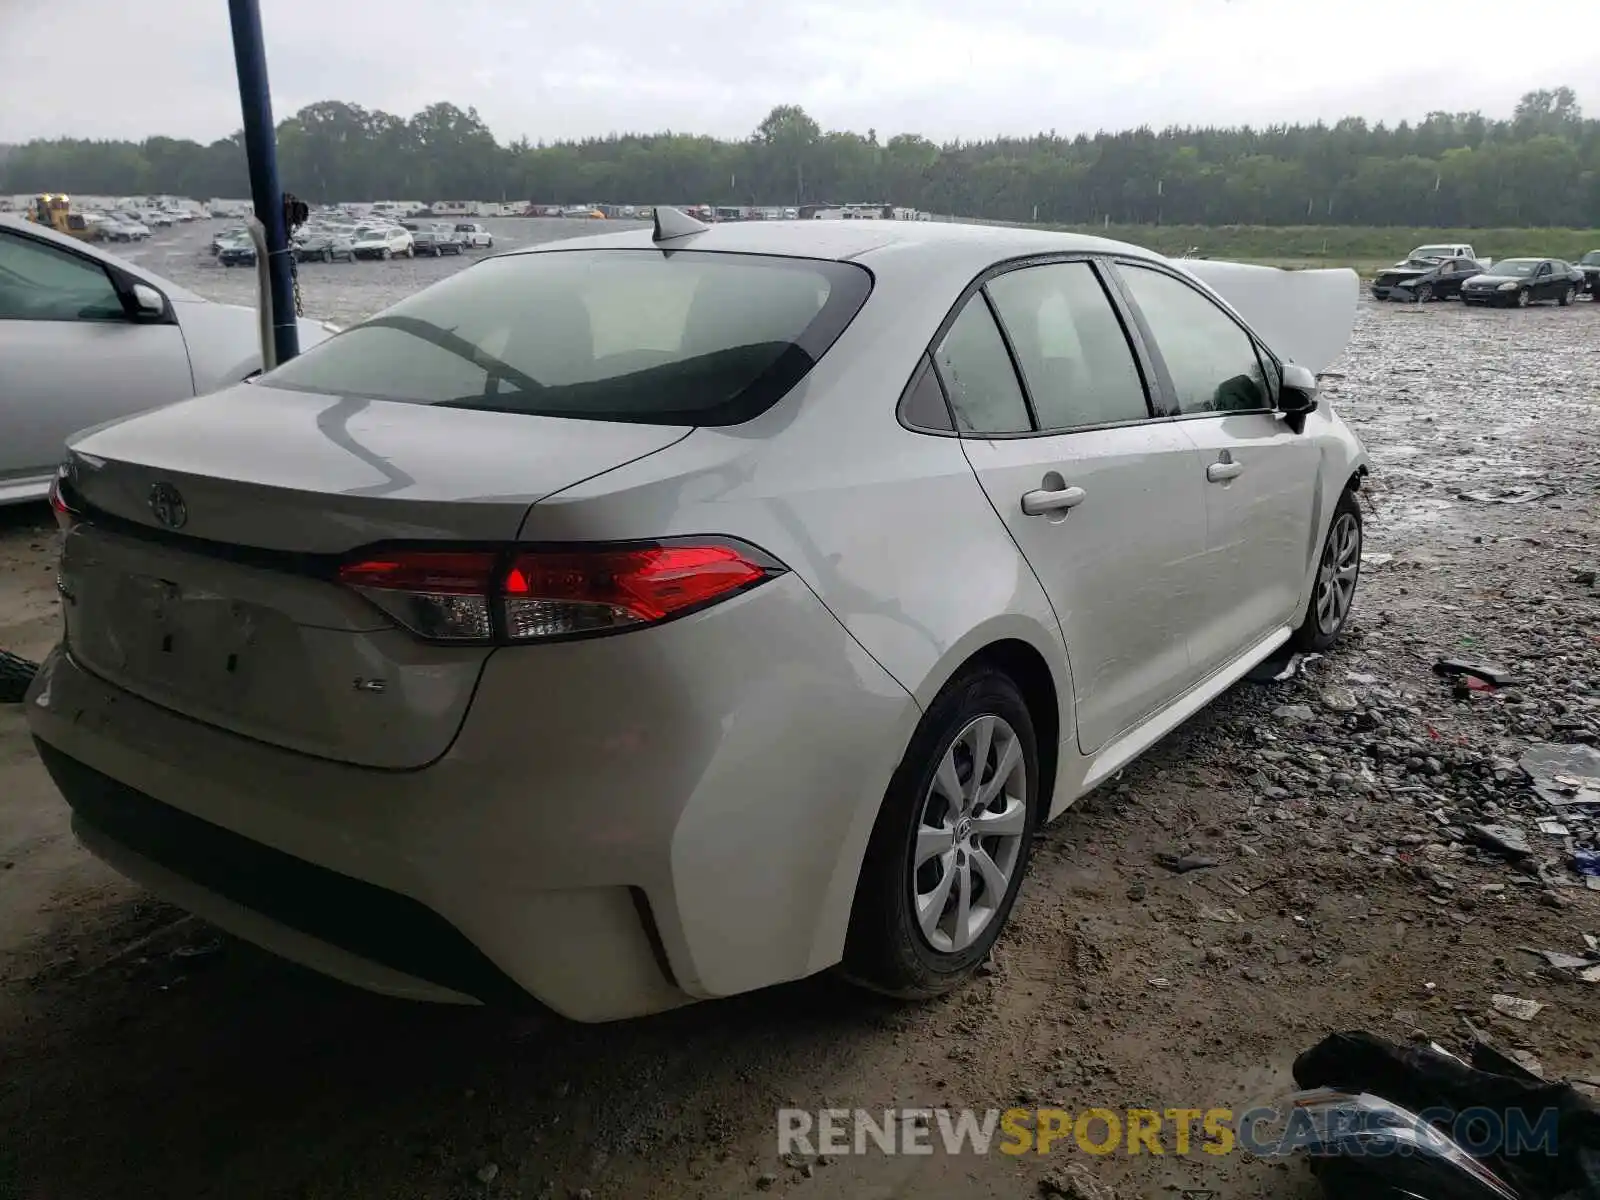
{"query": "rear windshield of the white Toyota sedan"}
{"type": "Point", "coordinates": [607, 335]}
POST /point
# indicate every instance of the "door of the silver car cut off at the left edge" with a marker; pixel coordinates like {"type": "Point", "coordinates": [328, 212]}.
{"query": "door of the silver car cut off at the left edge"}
{"type": "Point", "coordinates": [71, 356]}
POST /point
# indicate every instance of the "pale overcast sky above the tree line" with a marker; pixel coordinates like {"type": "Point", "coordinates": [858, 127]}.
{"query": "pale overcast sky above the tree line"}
{"type": "Point", "coordinates": [942, 68]}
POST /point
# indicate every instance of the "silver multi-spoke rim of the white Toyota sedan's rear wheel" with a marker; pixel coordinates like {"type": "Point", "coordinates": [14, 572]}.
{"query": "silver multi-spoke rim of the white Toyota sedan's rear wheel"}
{"type": "Point", "coordinates": [969, 836]}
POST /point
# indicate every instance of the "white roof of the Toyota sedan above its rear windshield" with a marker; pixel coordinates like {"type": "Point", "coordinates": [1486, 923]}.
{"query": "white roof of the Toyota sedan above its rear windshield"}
{"type": "Point", "coordinates": [862, 241]}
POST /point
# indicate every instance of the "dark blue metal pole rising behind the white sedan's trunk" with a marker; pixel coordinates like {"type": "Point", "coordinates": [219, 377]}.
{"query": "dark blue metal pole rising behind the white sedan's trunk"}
{"type": "Point", "coordinates": [255, 98]}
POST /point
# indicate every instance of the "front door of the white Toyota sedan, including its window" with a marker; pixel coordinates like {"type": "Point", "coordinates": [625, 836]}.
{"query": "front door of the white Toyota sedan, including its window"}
{"type": "Point", "coordinates": [1258, 474]}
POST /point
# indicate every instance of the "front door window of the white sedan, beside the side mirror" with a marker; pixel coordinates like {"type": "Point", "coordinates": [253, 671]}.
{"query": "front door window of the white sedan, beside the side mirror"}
{"type": "Point", "coordinates": [1210, 359]}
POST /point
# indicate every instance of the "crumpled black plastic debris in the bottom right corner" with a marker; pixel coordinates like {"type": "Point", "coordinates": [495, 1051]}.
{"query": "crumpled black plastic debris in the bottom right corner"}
{"type": "Point", "coordinates": [1463, 1102]}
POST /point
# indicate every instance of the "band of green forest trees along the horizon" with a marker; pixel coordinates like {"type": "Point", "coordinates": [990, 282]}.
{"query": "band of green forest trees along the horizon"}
{"type": "Point", "coordinates": [1535, 169]}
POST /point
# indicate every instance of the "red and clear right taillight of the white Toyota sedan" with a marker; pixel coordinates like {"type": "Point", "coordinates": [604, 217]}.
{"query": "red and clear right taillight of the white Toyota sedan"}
{"type": "Point", "coordinates": [521, 596]}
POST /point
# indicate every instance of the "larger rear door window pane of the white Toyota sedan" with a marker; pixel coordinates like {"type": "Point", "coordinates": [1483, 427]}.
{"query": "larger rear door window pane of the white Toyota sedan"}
{"type": "Point", "coordinates": [1071, 346]}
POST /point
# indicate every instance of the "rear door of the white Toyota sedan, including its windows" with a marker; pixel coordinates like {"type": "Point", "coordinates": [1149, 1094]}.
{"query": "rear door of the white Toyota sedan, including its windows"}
{"type": "Point", "coordinates": [1095, 486]}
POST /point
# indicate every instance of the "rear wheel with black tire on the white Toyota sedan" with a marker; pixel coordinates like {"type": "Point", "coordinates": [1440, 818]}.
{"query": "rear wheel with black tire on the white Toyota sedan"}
{"type": "Point", "coordinates": [951, 842]}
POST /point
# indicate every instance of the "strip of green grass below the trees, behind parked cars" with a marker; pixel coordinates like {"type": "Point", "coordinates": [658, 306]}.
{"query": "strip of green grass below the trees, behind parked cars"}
{"type": "Point", "coordinates": [1362, 247]}
